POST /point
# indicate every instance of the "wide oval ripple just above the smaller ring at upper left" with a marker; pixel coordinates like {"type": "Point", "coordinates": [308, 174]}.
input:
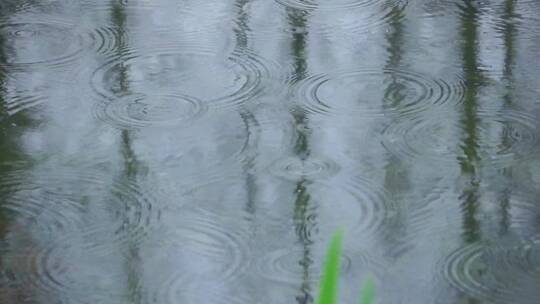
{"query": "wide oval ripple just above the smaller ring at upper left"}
{"type": "Point", "coordinates": [182, 70]}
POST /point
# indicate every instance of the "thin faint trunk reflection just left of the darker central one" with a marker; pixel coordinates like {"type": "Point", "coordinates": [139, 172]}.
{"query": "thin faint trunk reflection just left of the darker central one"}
{"type": "Point", "coordinates": [249, 120]}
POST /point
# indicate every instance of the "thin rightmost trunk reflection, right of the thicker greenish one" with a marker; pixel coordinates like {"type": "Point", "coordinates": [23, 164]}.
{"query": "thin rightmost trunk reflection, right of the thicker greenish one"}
{"type": "Point", "coordinates": [509, 35]}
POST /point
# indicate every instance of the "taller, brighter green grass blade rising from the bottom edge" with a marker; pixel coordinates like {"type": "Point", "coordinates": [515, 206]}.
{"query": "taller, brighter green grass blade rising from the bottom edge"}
{"type": "Point", "coordinates": [328, 291]}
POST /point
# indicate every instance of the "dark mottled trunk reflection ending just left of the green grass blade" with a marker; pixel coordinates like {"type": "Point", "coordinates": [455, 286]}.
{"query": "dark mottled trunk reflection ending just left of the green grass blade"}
{"type": "Point", "coordinates": [304, 224]}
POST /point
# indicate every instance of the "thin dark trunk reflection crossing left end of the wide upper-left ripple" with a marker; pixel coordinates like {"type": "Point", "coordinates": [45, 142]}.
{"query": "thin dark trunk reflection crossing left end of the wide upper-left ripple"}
{"type": "Point", "coordinates": [131, 165]}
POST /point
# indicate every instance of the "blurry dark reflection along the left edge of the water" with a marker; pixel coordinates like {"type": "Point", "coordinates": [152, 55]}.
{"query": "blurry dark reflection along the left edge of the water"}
{"type": "Point", "coordinates": [13, 161]}
